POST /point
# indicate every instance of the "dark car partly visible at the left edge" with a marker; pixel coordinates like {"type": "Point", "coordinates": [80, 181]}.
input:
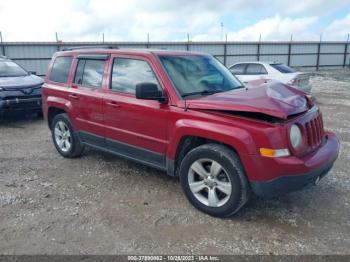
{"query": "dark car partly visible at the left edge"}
{"type": "Point", "coordinates": [20, 90]}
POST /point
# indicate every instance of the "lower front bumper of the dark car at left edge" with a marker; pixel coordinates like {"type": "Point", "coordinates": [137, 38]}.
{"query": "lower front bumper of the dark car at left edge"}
{"type": "Point", "coordinates": [20, 105]}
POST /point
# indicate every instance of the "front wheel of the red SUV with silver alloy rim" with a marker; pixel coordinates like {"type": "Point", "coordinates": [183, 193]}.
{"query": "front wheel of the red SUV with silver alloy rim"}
{"type": "Point", "coordinates": [213, 180]}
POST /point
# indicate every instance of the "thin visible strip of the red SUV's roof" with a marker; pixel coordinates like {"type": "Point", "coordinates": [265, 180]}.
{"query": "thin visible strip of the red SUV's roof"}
{"type": "Point", "coordinates": [129, 51]}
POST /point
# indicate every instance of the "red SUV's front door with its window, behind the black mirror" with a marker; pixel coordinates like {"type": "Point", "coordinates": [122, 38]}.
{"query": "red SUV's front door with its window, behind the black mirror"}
{"type": "Point", "coordinates": [135, 128]}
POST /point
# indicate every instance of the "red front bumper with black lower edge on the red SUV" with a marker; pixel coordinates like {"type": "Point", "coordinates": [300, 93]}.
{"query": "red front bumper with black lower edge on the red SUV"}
{"type": "Point", "coordinates": [309, 169]}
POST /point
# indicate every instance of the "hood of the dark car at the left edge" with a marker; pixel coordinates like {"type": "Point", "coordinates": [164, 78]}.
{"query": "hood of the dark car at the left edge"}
{"type": "Point", "coordinates": [20, 81]}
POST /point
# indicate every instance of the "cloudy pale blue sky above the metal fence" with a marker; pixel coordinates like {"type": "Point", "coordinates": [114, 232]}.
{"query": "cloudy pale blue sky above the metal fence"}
{"type": "Point", "coordinates": [171, 20]}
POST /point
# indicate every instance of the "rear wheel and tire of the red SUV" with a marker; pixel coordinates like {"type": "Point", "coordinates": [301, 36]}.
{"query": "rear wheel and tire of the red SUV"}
{"type": "Point", "coordinates": [65, 139]}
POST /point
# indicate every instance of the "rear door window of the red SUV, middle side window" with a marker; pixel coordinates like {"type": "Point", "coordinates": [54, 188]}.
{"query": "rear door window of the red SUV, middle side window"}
{"type": "Point", "coordinates": [89, 73]}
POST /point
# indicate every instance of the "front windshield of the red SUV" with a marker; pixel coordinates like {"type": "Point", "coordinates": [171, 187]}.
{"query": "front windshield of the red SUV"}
{"type": "Point", "coordinates": [198, 74]}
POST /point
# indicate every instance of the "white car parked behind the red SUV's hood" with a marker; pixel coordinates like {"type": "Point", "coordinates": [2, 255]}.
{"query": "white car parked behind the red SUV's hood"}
{"type": "Point", "coordinates": [249, 71]}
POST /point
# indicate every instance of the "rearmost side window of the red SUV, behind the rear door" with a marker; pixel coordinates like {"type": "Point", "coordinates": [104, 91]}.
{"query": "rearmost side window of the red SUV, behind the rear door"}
{"type": "Point", "coordinates": [60, 69]}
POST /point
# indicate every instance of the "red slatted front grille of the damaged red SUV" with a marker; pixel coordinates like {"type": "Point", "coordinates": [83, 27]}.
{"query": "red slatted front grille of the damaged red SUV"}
{"type": "Point", "coordinates": [314, 132]}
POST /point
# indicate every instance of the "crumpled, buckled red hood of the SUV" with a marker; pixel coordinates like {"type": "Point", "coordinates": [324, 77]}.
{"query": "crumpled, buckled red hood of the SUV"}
{"type": "Point", "coordinates": [272, 98]}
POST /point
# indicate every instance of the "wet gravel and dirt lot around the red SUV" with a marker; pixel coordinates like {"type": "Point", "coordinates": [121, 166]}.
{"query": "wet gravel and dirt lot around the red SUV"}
{"type": "Point", "coordinates": [101, 204]}
